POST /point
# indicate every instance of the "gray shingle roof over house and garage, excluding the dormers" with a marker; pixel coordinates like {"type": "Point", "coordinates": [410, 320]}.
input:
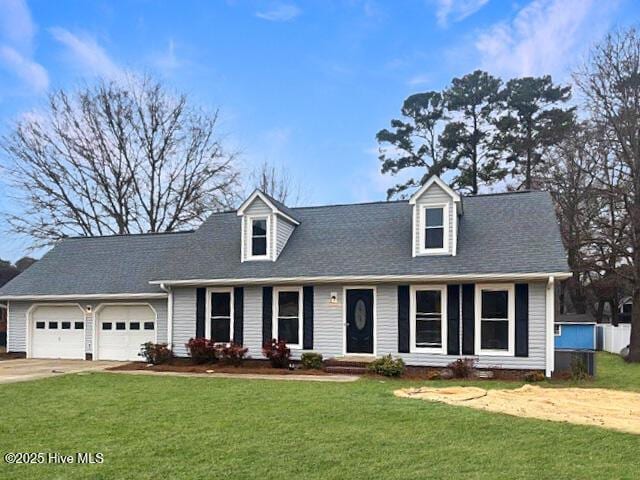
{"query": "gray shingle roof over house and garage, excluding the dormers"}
{"type": "Point", "coordinates": [504, 233]}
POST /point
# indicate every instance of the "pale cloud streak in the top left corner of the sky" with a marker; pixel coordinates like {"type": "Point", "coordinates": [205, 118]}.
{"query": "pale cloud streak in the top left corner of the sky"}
{"type": "Point", "coordinates": [16, 33]}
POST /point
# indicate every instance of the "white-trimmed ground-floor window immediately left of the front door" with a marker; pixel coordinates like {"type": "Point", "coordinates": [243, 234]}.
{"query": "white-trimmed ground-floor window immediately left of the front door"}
{"type": "Point", "coordinates": [288, 316]}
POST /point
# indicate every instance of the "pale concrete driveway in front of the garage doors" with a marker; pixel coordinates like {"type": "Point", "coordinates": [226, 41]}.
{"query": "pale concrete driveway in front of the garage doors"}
{"type": "Point", "coordinates": [32, 369]}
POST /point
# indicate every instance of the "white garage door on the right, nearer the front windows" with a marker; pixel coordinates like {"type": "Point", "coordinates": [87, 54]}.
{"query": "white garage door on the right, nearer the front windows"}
{"type": "Point", "coordinates": [122, 329]}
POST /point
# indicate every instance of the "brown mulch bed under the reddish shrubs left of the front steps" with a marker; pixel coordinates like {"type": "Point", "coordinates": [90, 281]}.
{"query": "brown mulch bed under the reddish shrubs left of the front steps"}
{"type": "Point", "coordinates": [185, 365]}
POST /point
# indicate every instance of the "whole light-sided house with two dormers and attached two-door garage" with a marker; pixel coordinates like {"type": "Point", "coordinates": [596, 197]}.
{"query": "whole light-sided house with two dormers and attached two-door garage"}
{"type": "Point", "coordinates": [431, 280]}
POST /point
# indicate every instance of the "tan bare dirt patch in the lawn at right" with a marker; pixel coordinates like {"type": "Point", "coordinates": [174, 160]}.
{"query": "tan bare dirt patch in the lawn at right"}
{"type": "Point", "coordinates": [611, 409]}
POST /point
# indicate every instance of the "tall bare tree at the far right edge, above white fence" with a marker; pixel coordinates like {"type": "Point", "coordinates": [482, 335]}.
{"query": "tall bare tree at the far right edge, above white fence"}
{"type": "Point", "coordinates": [610, 83]}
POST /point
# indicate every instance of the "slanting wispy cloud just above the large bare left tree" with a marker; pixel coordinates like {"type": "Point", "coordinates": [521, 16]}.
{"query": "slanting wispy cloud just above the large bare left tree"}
{"type": "Point", "coordinates": [87, 54]}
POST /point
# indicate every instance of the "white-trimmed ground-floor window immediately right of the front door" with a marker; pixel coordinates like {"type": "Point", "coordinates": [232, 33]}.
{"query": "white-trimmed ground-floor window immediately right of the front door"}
{"type": "Point", "coordinates": [428, 323]}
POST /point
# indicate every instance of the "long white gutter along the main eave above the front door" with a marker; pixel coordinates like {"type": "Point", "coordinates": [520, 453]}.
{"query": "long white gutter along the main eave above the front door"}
{"type": "Point", "coordinates": [366, 278]}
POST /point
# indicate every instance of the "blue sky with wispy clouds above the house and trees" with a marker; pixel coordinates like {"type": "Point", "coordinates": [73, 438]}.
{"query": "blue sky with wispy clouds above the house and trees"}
{"type": "Point", "coordinates": [302, 84]}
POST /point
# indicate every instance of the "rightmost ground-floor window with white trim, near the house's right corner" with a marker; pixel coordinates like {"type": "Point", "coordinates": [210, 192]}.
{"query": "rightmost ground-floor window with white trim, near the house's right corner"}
{"type": "Point", "coordinates": [495, 314]}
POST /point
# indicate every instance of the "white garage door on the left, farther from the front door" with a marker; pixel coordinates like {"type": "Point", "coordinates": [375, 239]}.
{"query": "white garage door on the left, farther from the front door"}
{"type": "Point", "coordinates": [57, 332]}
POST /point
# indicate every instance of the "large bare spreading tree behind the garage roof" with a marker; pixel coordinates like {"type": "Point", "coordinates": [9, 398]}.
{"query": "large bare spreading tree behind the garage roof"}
{"type": "Point", "coordinates": [116, 158]}
